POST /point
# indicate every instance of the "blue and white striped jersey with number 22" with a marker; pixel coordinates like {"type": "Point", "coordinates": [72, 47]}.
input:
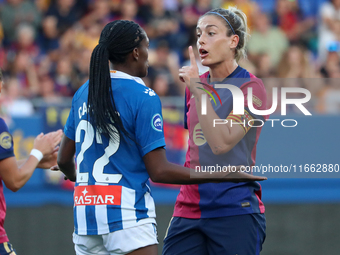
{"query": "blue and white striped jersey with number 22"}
{"type": "Point", "coordinates": [112, 187]}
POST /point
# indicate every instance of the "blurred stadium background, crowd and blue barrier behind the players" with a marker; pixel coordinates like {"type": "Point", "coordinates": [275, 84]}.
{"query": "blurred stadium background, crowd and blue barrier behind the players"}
{"type": "Point", "coordinates": [45, 48]}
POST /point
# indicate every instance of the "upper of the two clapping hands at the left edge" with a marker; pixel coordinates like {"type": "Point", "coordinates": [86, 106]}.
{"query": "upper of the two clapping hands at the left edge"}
{"type": "Point", "coordinates": [47, 143]}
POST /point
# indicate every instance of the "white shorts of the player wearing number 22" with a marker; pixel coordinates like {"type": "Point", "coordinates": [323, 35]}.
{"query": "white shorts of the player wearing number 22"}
{"type": "Point", "coordinates": [119, 242]}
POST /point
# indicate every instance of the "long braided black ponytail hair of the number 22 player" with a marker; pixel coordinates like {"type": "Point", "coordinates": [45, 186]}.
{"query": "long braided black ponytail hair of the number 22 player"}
{"type": "Point", "coordinates": [117, 40]}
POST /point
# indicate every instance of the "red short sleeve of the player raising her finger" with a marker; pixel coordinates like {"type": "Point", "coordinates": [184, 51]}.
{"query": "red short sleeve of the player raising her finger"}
{"type": "Point", "coordinates": [259, 97]}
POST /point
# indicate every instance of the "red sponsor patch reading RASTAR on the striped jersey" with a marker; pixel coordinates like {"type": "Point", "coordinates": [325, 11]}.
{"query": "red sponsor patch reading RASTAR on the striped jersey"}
{"type": "Point", "coordinates": [97, 195]}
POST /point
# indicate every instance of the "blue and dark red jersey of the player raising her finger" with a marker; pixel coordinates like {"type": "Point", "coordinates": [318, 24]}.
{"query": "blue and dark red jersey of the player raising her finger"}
{"type": "Point", "coordinates": [211, 200]}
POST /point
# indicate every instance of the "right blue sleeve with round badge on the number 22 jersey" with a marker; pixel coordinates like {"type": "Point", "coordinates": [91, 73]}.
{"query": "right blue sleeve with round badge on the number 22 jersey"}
{"type": "Point", "coordinates": [149, 125]}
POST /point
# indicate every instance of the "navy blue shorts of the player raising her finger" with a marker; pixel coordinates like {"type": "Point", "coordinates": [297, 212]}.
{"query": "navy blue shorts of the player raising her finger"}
{"type": "Point", "coordinates": [231, 235]}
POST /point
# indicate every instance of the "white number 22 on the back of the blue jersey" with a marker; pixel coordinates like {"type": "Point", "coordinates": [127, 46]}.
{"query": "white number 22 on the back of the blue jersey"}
{"type": "Point", "coordinates": [98, 167]}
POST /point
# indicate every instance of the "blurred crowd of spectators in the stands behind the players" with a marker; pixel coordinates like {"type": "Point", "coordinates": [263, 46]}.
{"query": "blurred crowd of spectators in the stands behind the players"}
{"type": "Point", "coordinates": [46, 45]}
